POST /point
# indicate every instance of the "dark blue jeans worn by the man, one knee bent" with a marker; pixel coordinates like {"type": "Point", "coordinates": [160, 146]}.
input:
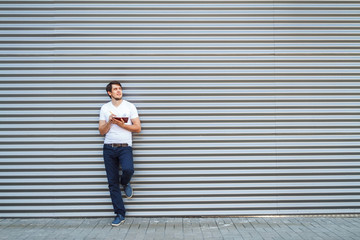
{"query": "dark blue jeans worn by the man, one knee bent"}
{"type": "Point", "coordinates": [113, 158]}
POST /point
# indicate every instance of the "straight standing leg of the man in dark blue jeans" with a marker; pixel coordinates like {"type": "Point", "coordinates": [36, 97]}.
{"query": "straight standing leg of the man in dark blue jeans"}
{"type": "Point", "coordinates": [112, 172]}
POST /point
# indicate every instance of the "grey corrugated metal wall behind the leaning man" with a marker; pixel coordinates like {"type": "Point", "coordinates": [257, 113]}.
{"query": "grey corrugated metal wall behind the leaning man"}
{"type": "Point", "coordinates": [248, 107]}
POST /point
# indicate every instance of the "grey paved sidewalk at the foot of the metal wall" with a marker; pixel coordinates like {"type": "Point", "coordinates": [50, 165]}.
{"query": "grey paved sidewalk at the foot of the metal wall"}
{"type": "Point", "coordinates": [253, 228]}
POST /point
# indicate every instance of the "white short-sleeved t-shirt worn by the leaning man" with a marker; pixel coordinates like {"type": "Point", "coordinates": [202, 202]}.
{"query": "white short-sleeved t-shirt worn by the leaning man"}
{"type": "Point", "coordinates": [117, 134]}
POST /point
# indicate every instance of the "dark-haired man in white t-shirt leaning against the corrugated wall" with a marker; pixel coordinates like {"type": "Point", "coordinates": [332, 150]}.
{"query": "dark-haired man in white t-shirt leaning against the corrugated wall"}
{"type": "Point", "coordinates": [118, 120]}
